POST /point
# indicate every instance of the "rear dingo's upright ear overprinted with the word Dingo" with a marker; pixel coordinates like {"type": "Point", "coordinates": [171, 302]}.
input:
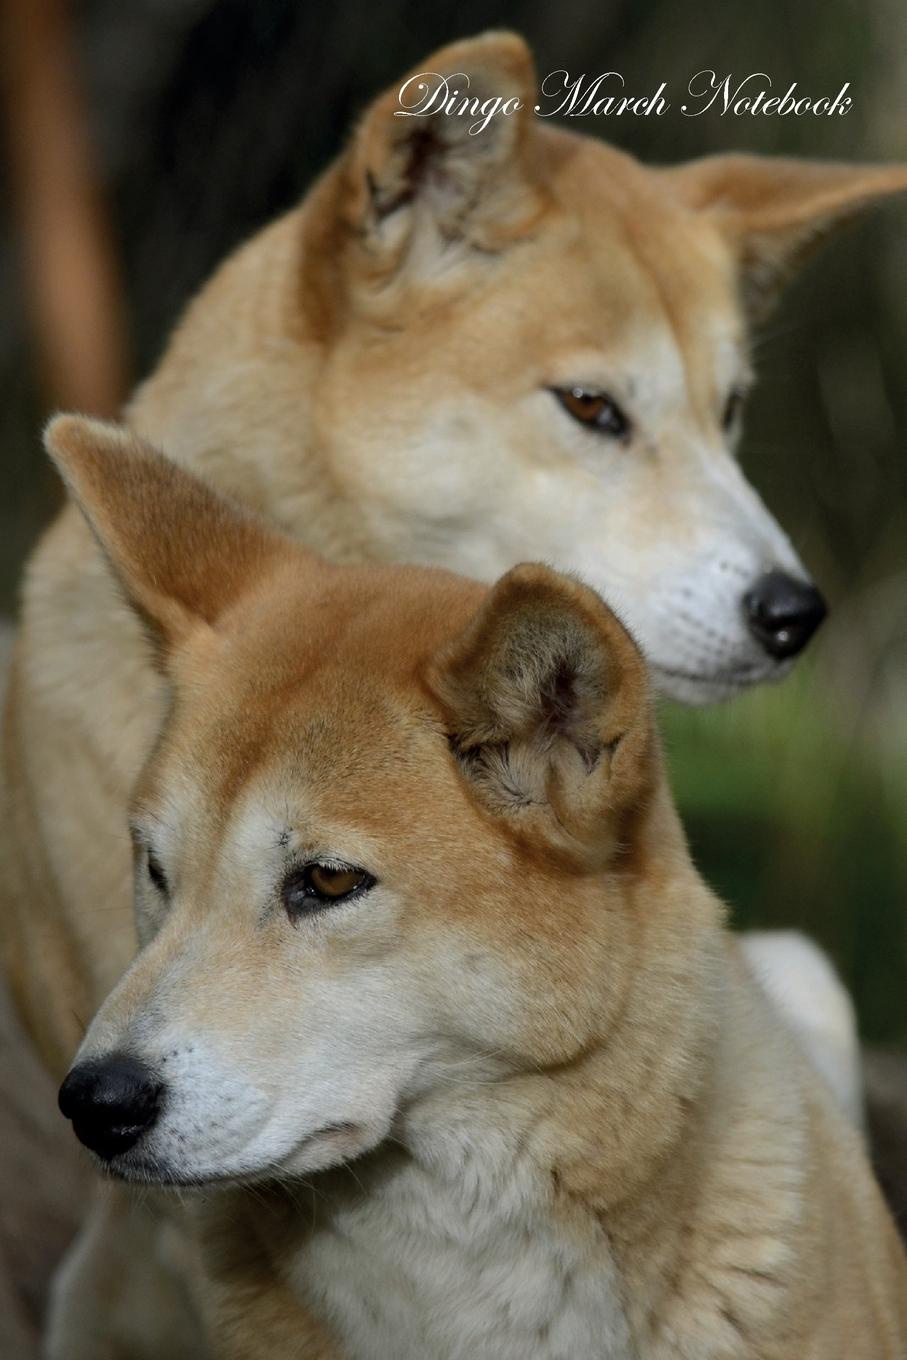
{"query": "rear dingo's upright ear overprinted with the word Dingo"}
{"type": "Point", "coordinates": [413, 167]}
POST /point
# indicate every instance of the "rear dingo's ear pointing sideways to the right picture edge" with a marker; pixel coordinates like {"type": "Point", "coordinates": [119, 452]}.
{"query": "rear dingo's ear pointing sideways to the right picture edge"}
{"type": "Point", "coordinates": [777, 211]}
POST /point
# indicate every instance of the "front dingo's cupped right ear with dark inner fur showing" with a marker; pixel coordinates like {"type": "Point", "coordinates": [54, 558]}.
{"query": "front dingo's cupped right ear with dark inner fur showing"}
{"type": "Point", "coordinates": [547, 704]}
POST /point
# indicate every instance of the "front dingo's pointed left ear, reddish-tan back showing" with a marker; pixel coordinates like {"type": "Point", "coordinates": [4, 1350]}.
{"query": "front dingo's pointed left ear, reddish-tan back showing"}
{"type": "Point", "coordinates": [182, 553]}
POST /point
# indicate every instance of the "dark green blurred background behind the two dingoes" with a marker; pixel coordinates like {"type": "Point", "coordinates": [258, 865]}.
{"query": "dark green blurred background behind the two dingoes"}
{"type": "Point", "coordinates": [209, 119]}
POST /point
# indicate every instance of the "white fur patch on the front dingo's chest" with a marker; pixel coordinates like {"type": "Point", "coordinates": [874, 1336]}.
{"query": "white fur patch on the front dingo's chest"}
{"type": "Point", "coordinates": [424, 1268]}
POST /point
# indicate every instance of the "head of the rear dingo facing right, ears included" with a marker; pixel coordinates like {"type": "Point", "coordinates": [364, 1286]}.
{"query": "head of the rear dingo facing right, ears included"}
{"type": "Point", "coordinates": [534, 347]}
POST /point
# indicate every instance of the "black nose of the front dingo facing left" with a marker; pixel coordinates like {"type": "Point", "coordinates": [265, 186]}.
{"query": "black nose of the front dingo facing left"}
{"type": "Point", "coordinates": [112, 1102]}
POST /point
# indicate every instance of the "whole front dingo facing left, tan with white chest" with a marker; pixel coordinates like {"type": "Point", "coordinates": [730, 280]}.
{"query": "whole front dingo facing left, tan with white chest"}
{"type": "Point", "coordinates": [413, 891]}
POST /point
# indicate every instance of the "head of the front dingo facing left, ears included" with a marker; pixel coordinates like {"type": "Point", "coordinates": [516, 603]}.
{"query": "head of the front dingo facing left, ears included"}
{"type": "Point", "coordinates": [396, 822]}
